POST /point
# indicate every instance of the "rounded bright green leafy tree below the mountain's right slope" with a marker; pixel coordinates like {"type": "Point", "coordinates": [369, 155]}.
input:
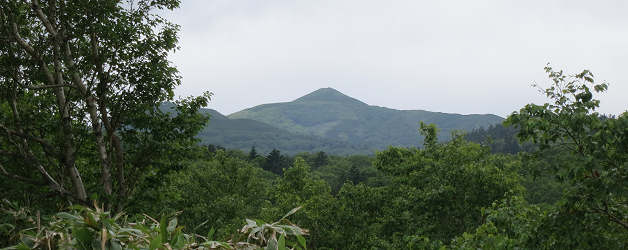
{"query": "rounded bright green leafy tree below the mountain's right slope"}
{"type": "Point", "coordinates": [438, 187]}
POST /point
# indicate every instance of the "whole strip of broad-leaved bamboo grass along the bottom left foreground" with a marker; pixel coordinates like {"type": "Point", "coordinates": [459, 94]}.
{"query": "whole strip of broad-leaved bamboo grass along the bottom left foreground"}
{"type": "Point", "coordinates": [95, 228]}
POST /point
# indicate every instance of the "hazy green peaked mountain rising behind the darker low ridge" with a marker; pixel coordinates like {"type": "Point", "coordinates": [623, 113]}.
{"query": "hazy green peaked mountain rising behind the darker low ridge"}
{"type": "Point", "coordinates": [329, 114]}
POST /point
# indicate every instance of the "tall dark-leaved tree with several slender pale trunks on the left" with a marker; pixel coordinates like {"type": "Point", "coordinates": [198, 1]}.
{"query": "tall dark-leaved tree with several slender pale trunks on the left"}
{"type": "Point", "coordinates": [82, 83]}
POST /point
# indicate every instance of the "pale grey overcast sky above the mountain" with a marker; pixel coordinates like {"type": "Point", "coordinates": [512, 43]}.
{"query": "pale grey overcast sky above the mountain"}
{"type": "Point", "coordinates": [448, 56]}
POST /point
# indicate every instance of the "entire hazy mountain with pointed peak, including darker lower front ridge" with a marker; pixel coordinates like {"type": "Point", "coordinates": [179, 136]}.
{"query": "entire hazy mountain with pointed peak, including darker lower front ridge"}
{"type": "Point", "coordinates": [328, 120]}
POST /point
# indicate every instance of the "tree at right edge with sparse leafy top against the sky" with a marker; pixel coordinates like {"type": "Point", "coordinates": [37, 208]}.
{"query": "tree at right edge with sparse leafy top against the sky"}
{"type": "Point", "coordinates": [597, 193]}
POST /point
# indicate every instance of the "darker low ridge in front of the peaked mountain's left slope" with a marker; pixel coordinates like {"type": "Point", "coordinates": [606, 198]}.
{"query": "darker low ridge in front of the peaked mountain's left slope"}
{"type": "Point", "coordinates": [244, 133]}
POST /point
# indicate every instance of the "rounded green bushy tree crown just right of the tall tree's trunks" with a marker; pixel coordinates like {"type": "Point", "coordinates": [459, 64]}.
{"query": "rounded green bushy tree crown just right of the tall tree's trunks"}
{"type": "Point", "coordinates": [217, 193]}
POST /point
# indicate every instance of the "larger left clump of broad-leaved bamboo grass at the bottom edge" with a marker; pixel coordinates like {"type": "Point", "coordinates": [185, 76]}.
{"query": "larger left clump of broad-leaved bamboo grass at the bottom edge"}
{"type": "Point", "coordinates": [94, 228]}
